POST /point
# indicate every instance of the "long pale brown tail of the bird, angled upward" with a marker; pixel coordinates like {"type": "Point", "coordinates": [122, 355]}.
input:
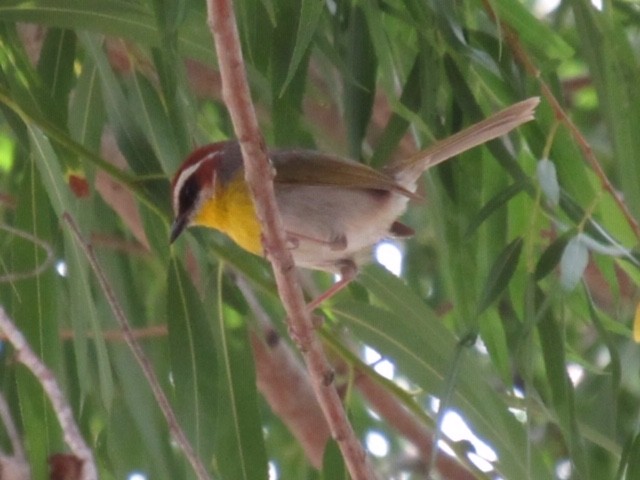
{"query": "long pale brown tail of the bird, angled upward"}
{"type": "Point", "coordinates": [408, 170]}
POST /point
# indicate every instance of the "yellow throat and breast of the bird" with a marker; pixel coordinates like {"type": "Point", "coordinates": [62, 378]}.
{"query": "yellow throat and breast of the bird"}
{"type": "Point", "coordinates": [231, 211]}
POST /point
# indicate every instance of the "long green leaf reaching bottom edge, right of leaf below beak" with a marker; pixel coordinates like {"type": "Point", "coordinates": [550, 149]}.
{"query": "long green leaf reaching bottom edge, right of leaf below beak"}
{"type": "Point", "coordinates": [240, 451]}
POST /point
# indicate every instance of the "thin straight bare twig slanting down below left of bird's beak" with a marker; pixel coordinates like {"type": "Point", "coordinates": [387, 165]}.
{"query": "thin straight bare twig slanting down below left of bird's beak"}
{"type": "Point", "coordinates": [144, 363]}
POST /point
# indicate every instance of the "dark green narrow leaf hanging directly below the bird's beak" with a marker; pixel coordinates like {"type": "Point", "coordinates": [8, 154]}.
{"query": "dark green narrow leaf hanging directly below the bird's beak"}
{"type": "Point", "coordinates": [193, 361]}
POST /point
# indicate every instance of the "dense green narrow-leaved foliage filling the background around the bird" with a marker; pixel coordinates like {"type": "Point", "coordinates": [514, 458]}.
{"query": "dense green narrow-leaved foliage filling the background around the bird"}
{"type": "Point", "coordinates": [516, 302]}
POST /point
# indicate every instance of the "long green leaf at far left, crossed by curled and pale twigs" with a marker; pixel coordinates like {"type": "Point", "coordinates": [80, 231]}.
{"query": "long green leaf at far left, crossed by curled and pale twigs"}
{"type": "Point", "coordinates": [33, 305]}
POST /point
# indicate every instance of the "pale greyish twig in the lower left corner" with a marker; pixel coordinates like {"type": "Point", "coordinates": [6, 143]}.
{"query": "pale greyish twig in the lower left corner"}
{"type": "Point", "coordinates": [47, 380]}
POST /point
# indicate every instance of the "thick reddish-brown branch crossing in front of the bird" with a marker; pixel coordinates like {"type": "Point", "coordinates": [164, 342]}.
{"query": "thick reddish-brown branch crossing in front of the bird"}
{"type": "Point", "coordinates": [259, 175]}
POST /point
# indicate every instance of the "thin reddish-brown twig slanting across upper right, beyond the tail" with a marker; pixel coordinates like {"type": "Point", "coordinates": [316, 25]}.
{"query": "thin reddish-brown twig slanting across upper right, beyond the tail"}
{"type": "Point", "coordinates": [523, 57]}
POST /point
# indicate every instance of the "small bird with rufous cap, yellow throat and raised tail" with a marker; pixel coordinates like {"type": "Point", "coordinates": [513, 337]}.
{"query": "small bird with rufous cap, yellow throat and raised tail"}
{"type": "Point", "coordinates": [334, 210]}
